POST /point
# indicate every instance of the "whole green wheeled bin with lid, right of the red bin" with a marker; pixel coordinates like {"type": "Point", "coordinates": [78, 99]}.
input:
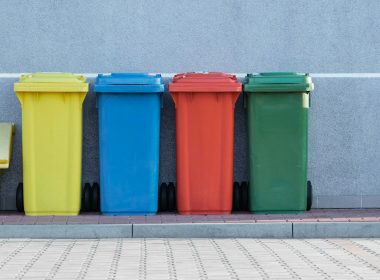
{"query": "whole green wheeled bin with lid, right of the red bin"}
{"type": "Point", "coordinates": [278, 106]}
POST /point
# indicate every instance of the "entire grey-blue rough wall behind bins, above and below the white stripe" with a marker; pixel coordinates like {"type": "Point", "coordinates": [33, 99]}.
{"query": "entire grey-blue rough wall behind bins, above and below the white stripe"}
{"type": "Point", "coordinates": [233, 36]}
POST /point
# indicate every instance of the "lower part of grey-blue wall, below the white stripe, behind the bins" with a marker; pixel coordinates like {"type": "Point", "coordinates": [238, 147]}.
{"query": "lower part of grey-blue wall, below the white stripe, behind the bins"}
{"type": "Point", "coordinates": [344, 150]}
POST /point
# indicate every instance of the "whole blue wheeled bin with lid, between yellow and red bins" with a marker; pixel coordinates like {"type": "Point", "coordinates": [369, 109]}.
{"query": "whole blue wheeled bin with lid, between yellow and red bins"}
{"type": "Point", "coordinates": [129, 106]}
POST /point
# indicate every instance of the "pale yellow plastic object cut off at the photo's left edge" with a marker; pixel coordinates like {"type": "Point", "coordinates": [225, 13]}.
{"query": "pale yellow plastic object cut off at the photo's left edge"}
{"type": "Point", "coordinates": [6, 133]}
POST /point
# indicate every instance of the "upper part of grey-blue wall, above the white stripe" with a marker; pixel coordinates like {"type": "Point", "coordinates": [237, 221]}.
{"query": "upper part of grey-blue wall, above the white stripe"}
{"type": "Point", "coordinates": [187, 35]}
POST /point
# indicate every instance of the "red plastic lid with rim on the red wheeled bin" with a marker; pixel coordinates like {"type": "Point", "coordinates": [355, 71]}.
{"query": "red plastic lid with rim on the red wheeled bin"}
{"type": "Point", "coordinates": [205, 82]}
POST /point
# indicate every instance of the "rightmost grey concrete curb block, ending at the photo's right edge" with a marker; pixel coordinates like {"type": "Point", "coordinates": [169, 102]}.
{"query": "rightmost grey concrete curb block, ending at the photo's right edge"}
{"type": "Point", "coordinates": [336, 230]}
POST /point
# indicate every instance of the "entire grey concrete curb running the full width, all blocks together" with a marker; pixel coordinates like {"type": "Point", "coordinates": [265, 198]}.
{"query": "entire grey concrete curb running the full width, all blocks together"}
{"type": "Point", "coordinates": [195, 230]}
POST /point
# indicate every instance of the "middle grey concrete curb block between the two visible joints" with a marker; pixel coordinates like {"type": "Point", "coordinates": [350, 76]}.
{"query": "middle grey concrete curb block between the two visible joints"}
{"type": "Point", "coordinates": [213, 230]}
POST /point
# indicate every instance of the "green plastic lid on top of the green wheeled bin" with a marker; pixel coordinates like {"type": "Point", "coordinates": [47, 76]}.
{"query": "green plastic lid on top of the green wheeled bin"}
{"type": "Point", "coordinates": [278, 82]}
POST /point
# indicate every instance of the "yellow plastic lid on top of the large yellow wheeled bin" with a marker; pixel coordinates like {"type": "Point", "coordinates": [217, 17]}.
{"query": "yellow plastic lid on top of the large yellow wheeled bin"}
{"type": "Point", "coordinates": [51, 82]}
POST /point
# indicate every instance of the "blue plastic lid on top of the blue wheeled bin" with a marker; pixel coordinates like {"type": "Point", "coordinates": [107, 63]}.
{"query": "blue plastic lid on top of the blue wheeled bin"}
{"type": "Point", "coordinates": [129, 82]}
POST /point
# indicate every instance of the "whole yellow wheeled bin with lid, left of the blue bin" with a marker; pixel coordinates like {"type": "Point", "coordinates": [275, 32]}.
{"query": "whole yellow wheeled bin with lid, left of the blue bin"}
{"type": "Point", "coordinates": [51, 142]}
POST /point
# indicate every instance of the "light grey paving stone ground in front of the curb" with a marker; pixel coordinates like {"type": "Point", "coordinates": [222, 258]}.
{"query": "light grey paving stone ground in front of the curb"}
{"type": "Point", "coordinates": [190, 259]}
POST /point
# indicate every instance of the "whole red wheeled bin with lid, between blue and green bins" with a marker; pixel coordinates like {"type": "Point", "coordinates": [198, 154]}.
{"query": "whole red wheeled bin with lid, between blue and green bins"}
{"type": "Point", "coordinates": [204, 105]}
